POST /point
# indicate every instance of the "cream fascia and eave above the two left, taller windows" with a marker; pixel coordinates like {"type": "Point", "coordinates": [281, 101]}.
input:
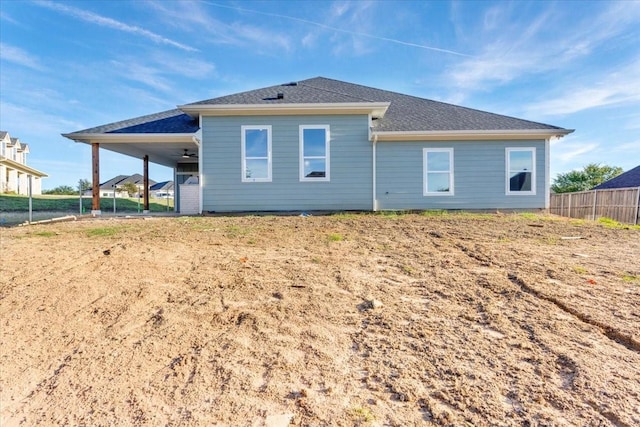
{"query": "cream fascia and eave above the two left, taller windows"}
{"type": "Point", "coordinates": [376, 109]}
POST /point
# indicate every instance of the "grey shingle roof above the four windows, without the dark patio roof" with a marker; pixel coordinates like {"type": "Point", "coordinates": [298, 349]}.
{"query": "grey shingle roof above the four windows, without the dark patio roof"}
{"type": "Point", "coordinates": [405, 113]}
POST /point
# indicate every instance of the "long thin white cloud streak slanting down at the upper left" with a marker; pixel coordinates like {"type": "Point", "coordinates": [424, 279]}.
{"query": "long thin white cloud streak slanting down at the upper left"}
{"type": "Point", "coordinates": [104, 21]}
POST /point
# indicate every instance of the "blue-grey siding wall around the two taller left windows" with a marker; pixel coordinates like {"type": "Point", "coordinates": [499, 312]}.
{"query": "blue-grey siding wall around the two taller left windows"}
{"type": "Point", "coordinates": [351, 173]}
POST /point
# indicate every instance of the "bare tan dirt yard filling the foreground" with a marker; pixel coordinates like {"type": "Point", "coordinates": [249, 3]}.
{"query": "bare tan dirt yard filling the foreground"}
{"type": "Point", "coordinates": [371, 320]}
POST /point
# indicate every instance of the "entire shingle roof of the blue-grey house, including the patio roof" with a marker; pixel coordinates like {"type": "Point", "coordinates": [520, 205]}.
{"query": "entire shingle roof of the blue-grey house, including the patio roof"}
{"type": "Point", "coordinates": [405, 113]}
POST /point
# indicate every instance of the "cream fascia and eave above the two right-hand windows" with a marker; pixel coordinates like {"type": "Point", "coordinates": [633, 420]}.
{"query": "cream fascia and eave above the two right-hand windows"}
{"type": "Point", "coordinates": [470, 135]}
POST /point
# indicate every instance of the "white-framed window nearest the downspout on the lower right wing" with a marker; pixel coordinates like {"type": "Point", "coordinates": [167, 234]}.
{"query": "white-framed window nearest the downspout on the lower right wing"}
{"type": "Point", "coordinates": [438, 171]}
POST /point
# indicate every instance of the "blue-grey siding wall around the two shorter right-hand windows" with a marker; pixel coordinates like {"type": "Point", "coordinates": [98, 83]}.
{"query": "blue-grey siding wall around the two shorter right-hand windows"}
{"type": "Point", "coordinates": [479, 176]}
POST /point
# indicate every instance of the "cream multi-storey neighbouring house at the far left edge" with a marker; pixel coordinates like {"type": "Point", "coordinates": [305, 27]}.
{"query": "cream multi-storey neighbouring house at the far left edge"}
{"type": "Point", "coordinates": [14, 172]}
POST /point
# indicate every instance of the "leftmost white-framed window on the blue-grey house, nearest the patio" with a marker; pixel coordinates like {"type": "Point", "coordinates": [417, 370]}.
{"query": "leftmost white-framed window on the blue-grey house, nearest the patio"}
{"type": "Point", "coordinates": [256, 153]}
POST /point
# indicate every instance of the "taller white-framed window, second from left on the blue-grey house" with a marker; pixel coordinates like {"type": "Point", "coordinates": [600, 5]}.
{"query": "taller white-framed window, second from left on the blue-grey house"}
{"type": "Point", "coordinates": [314, 153]}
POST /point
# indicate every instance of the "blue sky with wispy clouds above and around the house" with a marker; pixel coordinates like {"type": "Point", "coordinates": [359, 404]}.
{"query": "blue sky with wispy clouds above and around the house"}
{"type": "Point", "coordinates": [71, 65]}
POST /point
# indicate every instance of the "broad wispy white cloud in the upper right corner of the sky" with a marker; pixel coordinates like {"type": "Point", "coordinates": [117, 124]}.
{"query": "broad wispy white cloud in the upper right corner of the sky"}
{"type": "Point", "coordinates": [514, 46]}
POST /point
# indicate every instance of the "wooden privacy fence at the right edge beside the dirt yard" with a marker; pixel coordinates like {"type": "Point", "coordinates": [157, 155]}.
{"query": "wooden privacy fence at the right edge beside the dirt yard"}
{"type": "Point", "coordinates": [620, 204]}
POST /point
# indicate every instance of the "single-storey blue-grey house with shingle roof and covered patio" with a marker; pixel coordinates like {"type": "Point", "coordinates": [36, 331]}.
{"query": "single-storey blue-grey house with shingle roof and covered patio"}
{"type": "Point", "coordinates": [323, 144]}
